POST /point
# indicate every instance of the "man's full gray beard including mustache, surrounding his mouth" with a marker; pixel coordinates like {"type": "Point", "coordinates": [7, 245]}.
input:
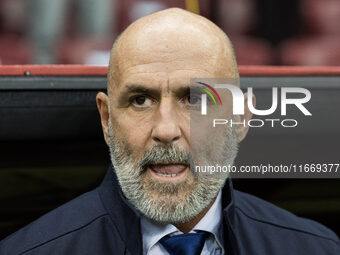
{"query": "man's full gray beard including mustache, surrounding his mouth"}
{"type": "Point", "coordinates": [167, 202]}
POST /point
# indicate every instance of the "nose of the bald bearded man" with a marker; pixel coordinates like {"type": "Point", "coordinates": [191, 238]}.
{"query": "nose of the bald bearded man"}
{"type": "Point", "coordinates": [166, 129]}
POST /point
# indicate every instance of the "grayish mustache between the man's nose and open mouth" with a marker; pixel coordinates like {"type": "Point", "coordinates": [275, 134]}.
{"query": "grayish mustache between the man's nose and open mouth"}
{"type": "Point", "coordinates": [165, 155]}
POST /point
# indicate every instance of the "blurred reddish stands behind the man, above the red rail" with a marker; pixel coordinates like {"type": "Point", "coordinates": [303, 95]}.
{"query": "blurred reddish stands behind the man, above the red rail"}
{"type": "Point", "coordinates": [264, 32]}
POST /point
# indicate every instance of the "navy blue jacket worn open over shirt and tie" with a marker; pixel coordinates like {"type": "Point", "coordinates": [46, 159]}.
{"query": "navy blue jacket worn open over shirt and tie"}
{"type": "Point", "coordinates": [102, 222]}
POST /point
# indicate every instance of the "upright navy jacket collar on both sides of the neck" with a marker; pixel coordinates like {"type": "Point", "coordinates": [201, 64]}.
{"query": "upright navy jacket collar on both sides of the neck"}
{"type": "Point", "coordinates": [127, 218]}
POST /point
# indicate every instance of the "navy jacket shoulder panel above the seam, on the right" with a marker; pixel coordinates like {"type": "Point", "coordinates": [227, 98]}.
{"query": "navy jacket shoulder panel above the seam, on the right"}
{"type": "Point", "coordinates": [263, 212]}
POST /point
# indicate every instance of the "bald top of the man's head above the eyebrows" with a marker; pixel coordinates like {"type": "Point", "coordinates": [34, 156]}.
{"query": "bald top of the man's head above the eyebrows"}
{"type": "Point", "coordinates": [184, 40]}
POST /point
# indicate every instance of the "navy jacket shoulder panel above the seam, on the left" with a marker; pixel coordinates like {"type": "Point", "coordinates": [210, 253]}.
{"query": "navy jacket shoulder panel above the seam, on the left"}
{"type": "Point", "coordinates": [66, 219]}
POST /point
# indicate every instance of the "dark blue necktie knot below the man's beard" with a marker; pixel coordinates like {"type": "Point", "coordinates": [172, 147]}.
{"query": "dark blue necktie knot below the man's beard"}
{"type": "Point", "coordinates": [185, 244]}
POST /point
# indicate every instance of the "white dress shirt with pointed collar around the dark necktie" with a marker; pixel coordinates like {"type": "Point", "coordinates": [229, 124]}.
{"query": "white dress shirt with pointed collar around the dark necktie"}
{"type": "Point", "coordinates": [211, 222]}
